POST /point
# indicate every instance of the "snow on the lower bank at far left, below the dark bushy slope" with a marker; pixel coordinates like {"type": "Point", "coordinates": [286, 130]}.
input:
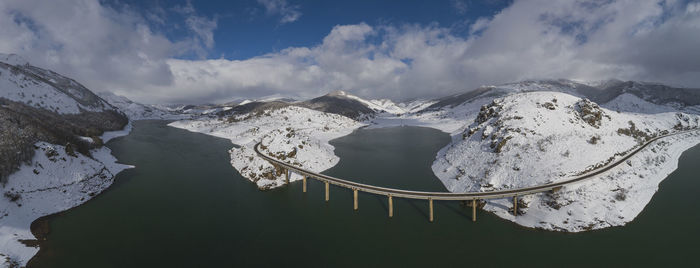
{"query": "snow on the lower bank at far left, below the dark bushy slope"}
{"type": "Point", "coordinates": [54, 181]}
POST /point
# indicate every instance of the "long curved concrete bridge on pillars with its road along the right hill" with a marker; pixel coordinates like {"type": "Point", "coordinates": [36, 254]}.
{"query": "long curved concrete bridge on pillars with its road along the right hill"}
{"type": "Point", "coordinates": [390, 193]}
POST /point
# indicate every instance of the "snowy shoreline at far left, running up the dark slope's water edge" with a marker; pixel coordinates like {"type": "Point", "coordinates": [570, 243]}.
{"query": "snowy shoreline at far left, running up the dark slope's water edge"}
{"type": "Point", "coordinates": [64, 189]}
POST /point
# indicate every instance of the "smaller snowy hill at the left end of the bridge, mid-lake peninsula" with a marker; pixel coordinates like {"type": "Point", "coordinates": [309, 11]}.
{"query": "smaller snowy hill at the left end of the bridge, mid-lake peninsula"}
{"type": "Point", "coordinates": [295, 134]}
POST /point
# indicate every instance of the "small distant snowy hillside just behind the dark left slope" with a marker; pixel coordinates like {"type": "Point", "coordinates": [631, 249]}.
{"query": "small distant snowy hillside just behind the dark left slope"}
{"type": "Point", "coordinates": [137, 111]}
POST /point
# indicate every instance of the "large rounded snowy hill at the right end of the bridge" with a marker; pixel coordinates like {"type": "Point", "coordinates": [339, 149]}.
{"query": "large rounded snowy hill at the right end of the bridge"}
{"type": "Point", "coordinates": [512, 138]}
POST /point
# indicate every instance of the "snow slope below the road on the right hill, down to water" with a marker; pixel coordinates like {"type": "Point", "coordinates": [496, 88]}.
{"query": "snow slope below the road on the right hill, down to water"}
{"type": "Point", "coordinates": [611, 200]}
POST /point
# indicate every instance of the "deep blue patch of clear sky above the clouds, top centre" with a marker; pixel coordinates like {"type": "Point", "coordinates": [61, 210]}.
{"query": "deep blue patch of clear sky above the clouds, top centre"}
{"type": "Point", "coordinates": [246, 29]}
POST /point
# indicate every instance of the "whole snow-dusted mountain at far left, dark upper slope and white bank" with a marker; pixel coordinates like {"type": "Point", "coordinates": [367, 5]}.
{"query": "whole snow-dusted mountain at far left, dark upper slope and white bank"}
{"type": "Point", "coordinates": [52, 131]}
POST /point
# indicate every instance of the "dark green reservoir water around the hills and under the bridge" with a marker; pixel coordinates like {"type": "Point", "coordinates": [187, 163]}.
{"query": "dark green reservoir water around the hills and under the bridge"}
{"type": "Point", "coordinates": [185, 206]}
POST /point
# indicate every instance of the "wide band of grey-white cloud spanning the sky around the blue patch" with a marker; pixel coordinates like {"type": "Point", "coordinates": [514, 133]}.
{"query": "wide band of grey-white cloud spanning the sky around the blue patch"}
{"type": "Point", "coordinates": [588, 40]}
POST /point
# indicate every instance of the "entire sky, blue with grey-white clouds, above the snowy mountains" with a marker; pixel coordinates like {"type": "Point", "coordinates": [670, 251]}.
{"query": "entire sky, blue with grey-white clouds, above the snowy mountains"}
{"type": "Point", "coordinates": [156, 51]}
